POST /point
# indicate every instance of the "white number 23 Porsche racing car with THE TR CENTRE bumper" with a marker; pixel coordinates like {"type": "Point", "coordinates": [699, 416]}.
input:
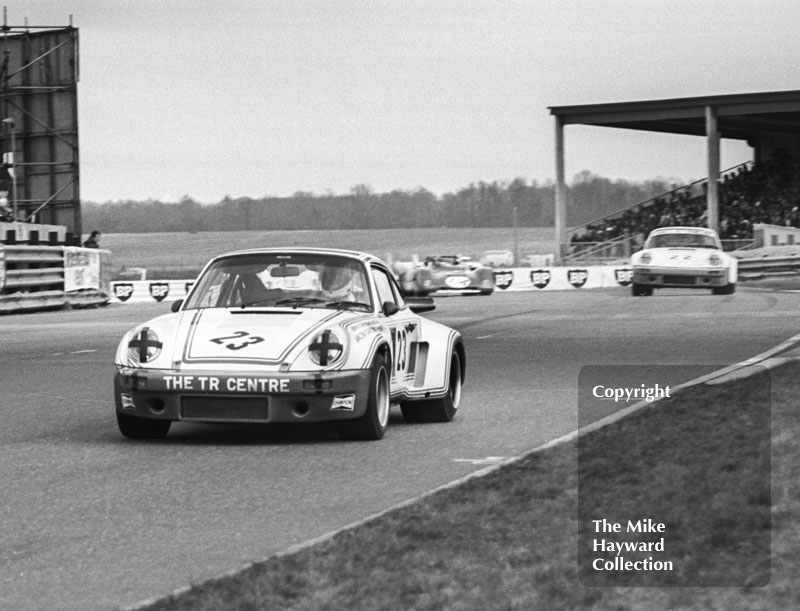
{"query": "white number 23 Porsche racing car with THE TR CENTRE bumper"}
{"type": "Point", "coordinates": [299, 335]}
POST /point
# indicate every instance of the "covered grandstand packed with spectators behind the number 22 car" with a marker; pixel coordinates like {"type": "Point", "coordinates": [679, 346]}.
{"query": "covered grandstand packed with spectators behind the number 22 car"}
{"type": "Point", "coordinates": [763, 191]}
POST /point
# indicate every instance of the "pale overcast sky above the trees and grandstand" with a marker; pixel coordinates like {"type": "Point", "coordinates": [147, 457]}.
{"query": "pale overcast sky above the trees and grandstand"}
{"type": "Point", "coordinates": [269, 97]}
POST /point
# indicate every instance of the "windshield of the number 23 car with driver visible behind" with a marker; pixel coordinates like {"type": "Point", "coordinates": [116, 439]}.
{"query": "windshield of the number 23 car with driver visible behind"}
{"type": "Point", "coordinates": [281, 280]}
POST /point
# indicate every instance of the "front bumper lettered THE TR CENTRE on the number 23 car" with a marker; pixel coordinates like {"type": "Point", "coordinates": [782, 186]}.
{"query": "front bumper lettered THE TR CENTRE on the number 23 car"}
{"type": "Point", "coordinates": [242, 396]}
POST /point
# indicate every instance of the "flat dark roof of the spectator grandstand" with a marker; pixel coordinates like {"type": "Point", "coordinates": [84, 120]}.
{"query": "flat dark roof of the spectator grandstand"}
{"type": "Point", "coordinates": [739, 116]}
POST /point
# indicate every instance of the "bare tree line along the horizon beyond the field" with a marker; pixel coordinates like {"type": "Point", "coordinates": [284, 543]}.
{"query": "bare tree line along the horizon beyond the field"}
{"type": "Point", "coordinates": [495, 204]}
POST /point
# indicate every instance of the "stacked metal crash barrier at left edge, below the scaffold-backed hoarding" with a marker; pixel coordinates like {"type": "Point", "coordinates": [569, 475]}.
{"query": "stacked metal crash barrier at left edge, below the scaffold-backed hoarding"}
{"type": "Point", "coordinates": [36, 277]}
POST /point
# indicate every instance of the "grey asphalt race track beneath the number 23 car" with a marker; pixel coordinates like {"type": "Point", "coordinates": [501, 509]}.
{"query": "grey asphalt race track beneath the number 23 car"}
{"type": "Point", "coordinates": [93, 521]}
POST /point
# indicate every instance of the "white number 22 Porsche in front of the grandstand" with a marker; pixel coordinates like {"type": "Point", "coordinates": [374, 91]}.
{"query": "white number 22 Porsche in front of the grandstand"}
{"type": "Point", "coordinates": [683, 257]}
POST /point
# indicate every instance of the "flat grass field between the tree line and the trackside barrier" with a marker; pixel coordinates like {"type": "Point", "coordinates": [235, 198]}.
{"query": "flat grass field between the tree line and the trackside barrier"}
{"type": "Point", "coordinates": [173, 255]}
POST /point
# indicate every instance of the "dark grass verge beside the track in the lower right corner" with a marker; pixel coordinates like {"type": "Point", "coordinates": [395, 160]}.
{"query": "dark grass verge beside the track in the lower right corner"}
{"type": "Point", "coordinates": [509, 540]}
